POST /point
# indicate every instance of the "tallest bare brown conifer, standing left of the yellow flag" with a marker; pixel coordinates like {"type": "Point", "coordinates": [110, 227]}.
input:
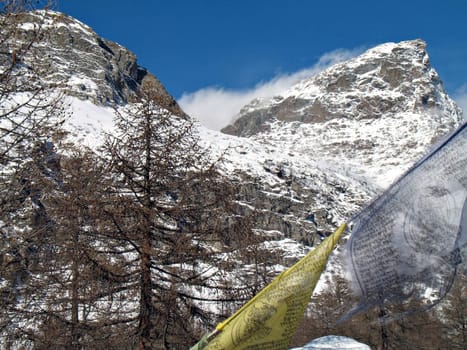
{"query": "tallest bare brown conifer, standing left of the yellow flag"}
{"type": "Point", "coordinates": [170, 211]}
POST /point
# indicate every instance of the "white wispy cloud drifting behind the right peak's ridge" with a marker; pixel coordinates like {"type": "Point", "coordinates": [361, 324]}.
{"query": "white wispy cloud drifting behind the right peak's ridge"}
{"type": "Point", "coordinates": [216, 107]}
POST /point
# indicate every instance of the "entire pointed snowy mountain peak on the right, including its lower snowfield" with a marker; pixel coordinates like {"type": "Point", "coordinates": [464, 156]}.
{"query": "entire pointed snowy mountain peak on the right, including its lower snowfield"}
{"type": "Point", "coordinates": [370, 117]}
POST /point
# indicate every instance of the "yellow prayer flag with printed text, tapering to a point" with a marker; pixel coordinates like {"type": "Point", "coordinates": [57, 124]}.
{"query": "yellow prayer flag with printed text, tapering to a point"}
{"type": "Point", "coordinates": [270, 319]}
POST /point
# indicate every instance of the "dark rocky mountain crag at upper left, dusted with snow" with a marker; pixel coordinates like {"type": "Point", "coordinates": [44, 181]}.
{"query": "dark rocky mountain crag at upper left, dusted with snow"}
{"type": "Point", "coordinates": [84, 64]}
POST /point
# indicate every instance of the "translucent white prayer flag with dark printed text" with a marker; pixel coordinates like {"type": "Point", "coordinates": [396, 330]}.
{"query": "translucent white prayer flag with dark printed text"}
{"type": "Point", "coordinates": [409, 242]}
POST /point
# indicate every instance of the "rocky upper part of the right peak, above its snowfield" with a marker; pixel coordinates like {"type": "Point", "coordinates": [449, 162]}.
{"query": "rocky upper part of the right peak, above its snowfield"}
{"type": "Point", "coordinates": [382, 82]}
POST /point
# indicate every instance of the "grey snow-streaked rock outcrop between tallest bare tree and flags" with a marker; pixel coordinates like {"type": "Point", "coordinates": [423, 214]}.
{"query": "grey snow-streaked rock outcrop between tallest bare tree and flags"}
{"type": "Point", "coordinates": [293, 210]}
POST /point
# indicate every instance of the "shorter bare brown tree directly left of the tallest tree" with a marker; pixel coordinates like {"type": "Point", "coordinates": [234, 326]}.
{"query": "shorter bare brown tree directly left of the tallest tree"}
{"type": "Point", "coordinates": [86, 275]}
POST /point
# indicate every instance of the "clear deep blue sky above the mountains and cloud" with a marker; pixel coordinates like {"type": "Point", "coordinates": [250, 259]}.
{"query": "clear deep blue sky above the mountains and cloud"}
{"type": "Point", "coordinates": [237, 46]}
